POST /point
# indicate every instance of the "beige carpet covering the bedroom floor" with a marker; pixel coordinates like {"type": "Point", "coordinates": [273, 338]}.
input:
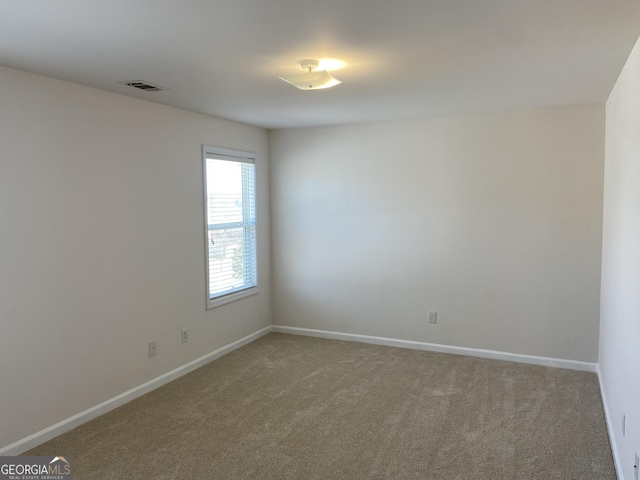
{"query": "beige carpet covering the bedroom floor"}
{"type": "Point", "coordinates": [290, 407]}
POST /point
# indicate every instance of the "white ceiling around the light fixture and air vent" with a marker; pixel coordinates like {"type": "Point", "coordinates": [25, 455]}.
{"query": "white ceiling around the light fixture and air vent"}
{"type": "Point", "coordinates": [405, 58]}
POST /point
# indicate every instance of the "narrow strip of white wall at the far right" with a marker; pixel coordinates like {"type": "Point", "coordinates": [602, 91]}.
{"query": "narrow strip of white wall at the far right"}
{"type": "Point", "coordinates": [620, 304]}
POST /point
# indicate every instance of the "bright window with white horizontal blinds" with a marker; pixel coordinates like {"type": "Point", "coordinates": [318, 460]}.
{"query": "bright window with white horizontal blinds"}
{"type": "Point", "coordinates": [230, 211]}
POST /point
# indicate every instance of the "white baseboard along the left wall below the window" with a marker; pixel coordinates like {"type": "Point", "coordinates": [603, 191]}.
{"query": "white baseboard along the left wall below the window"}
{"type": "Point", "coordinates": [70, 423]}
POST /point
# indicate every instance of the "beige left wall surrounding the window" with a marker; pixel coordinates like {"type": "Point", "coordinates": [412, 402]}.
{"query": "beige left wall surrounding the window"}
{"type": "Point", "coordinates": [102, 246]}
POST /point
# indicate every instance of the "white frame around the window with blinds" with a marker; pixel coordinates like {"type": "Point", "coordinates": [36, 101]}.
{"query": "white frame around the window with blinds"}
{"type": "Point", "coordinates": [220, 153]}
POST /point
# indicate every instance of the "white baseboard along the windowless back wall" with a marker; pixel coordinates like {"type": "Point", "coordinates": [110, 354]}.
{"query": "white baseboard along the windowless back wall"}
{"type": "Point", "coordinates": [434, 347]}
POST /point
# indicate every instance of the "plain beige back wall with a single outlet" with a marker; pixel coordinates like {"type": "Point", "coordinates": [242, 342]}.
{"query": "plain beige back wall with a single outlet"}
{"type": "Point", "coordinates": [493, 221]}
